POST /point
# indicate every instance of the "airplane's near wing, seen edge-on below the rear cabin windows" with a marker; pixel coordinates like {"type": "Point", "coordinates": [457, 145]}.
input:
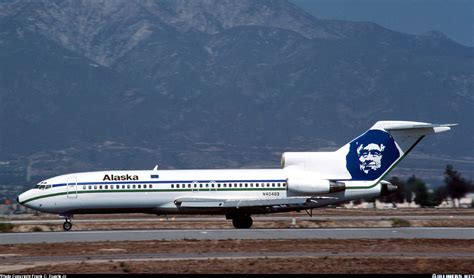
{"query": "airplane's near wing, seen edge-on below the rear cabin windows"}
{"type": "Point", "coordinates": [196, 202]}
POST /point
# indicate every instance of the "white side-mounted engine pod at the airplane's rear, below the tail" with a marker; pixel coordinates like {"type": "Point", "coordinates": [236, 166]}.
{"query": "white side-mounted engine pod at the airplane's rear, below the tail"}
{"type": "Point", "coordinates": [311, 187]}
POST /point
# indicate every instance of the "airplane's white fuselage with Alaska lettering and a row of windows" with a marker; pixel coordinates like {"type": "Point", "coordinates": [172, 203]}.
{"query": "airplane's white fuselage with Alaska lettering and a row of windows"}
{"type": "Point", "coordinates": [155, 191]}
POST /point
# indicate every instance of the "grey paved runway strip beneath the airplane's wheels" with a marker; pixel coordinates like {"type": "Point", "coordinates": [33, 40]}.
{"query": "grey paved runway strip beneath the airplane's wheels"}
{"type": "Point", "coordinates": [208, 234]}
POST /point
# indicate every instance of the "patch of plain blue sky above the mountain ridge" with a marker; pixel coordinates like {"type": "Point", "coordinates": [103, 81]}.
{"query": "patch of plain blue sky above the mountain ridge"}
{"type": "Point", "coordinates": [455, 18]}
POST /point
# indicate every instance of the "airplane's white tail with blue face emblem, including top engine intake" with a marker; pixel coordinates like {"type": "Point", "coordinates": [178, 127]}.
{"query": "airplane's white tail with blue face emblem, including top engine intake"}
{"type": "Point", "coordinates": [368, 157]}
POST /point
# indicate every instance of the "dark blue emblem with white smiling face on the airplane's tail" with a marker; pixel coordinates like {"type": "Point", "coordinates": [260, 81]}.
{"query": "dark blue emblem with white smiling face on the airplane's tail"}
{"type": "Point", "coordinates": [371, 154]}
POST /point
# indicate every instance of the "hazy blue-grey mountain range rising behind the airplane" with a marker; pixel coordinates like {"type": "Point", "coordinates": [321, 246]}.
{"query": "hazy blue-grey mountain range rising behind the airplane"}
{"type": "Point", "coordinates": [102, 84]}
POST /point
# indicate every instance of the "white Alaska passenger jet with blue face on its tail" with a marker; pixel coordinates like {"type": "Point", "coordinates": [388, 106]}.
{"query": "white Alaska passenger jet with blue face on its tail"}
{"type": "Point", "coordinates": [306, 180]}
